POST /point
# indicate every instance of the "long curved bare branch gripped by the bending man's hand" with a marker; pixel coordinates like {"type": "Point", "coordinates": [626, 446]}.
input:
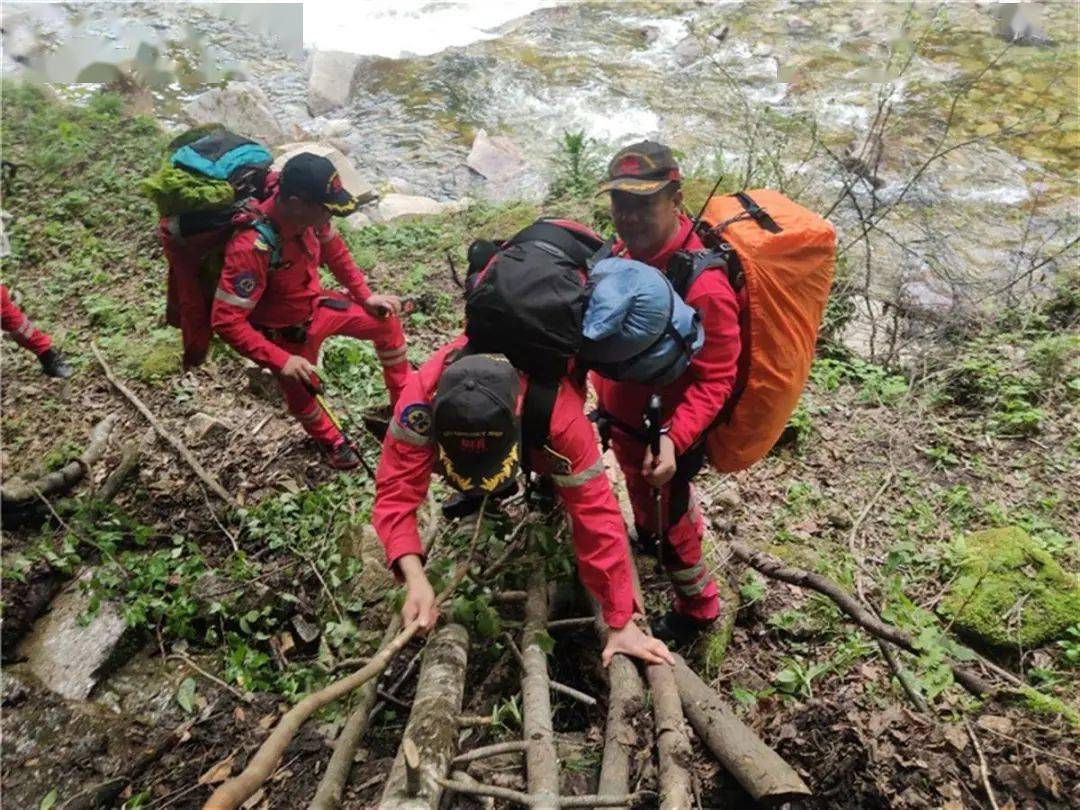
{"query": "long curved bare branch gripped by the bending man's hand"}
{"type": "Point", "coordinates": [237, 791]}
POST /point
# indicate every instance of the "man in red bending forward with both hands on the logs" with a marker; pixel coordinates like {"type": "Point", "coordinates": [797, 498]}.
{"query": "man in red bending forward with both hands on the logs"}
{"type": "Point", "coordinates": [463, 413]}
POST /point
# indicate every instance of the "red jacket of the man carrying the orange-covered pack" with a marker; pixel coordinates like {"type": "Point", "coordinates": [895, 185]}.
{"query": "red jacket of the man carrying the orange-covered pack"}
{"type": "Point", "coordinates": [693, 402]}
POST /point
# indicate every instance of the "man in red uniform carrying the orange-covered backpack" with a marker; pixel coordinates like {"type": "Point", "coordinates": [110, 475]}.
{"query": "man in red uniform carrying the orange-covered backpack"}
{"type": "Point", "coordinates": [644, 183]}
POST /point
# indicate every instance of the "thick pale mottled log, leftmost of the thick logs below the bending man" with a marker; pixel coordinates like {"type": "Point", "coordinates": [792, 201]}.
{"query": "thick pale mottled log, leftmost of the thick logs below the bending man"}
{"type": "Point", "coordinates": [433, 725]}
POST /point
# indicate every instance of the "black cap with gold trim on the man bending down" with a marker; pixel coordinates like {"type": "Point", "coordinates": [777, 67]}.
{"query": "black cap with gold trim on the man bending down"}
{"type": "Point", "coordinates": [476, 423]}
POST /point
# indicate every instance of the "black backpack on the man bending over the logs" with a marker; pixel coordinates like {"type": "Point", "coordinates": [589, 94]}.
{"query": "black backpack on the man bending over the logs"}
{"type": "Point", "coordinates": [529, 300]}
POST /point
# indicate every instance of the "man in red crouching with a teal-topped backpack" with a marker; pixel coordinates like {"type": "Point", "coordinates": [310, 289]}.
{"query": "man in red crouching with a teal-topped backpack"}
{"type": "Point", "coordinates": [272, 308]}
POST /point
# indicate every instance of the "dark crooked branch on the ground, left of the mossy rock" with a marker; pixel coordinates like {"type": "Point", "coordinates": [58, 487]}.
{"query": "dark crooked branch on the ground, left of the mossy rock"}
{"type": "Point", "coordinates": [776, 570]}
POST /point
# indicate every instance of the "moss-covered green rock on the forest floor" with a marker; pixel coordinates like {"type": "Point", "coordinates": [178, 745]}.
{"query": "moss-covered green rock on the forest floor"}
{"type": "Point", "coordinates": [1010, 592]}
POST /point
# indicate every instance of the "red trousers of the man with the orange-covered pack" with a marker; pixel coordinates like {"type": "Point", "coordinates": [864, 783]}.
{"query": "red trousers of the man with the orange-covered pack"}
{"type": "Point", "coordinates": [680, 549]}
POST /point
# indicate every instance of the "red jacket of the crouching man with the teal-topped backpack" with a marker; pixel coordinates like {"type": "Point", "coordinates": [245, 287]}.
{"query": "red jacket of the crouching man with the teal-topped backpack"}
{"type": "Point", "coordinates": [253, 294]}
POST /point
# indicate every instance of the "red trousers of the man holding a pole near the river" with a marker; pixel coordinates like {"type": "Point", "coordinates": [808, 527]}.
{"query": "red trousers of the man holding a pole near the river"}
{"type": "Point", "coordinates": [354, 322]}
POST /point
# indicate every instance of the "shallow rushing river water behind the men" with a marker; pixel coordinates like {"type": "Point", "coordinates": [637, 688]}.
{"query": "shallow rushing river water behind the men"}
{"type": "Point", "coordinates": [773, 92]}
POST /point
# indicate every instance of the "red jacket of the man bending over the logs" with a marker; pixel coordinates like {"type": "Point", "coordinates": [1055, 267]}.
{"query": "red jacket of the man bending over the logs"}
{"type": "Point", "coordinates": [572, 460]}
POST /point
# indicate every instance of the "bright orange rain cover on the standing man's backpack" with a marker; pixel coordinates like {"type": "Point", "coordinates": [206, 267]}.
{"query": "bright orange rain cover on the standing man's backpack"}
{"type": "Point", "coordinates": [788, 276]}
